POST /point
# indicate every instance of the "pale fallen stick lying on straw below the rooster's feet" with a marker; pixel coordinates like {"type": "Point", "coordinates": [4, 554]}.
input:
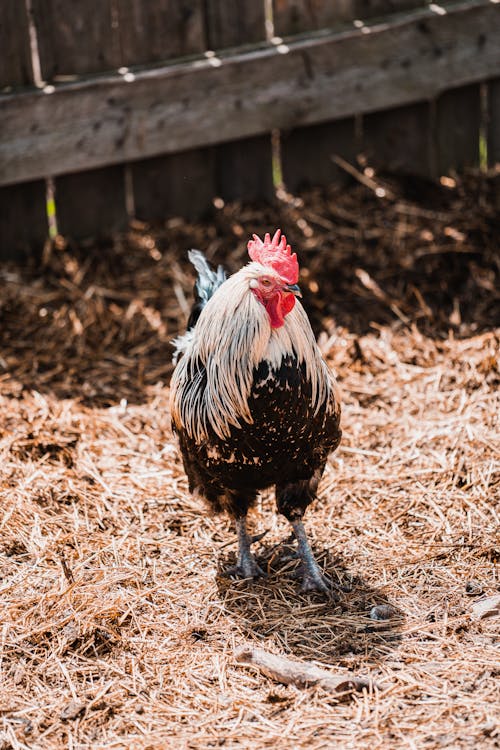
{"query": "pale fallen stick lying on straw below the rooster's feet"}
{"type": "Point", "coordinates": [302, 674]}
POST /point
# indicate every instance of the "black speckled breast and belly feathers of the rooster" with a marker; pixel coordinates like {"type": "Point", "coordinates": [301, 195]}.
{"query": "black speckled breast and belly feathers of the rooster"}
{"type": "Point", "coordinates": [286, 445]}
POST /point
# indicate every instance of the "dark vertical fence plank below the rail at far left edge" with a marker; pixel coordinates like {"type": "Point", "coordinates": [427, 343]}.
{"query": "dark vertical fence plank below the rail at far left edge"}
{"type": "Point", "coordinates": [23, 219]}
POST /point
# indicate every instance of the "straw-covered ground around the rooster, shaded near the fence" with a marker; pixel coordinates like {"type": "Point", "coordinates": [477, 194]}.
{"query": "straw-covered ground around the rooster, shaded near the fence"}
{"type": "Point", "coordinates": [117, 629]}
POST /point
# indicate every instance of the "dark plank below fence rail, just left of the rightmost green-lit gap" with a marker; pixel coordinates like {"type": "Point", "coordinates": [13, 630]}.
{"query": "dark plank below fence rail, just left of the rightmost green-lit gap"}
{"type": "Point", "coordinates": [457, 123]}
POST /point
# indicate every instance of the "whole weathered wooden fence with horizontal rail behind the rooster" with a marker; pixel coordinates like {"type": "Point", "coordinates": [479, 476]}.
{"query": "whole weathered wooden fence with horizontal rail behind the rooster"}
{"type": "Point", "coordinates": [150, 108]}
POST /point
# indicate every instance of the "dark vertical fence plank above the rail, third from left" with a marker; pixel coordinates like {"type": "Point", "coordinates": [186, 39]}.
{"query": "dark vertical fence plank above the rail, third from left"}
{"type": "Point", "coordinates": [153, 32]}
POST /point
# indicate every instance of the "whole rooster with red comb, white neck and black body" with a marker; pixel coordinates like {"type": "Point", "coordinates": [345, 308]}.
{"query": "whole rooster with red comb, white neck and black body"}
{"type": "Point", "coordinates": [253, 402]}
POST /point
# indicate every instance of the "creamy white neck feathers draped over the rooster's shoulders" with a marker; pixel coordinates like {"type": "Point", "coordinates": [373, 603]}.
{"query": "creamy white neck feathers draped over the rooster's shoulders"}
{"type": "Point", "coordinates": [232, 336]}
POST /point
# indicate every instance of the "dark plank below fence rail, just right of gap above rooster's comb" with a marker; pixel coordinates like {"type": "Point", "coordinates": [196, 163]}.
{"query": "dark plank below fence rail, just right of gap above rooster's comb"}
{"type": "Point", "coordinates": [306, 153]}
